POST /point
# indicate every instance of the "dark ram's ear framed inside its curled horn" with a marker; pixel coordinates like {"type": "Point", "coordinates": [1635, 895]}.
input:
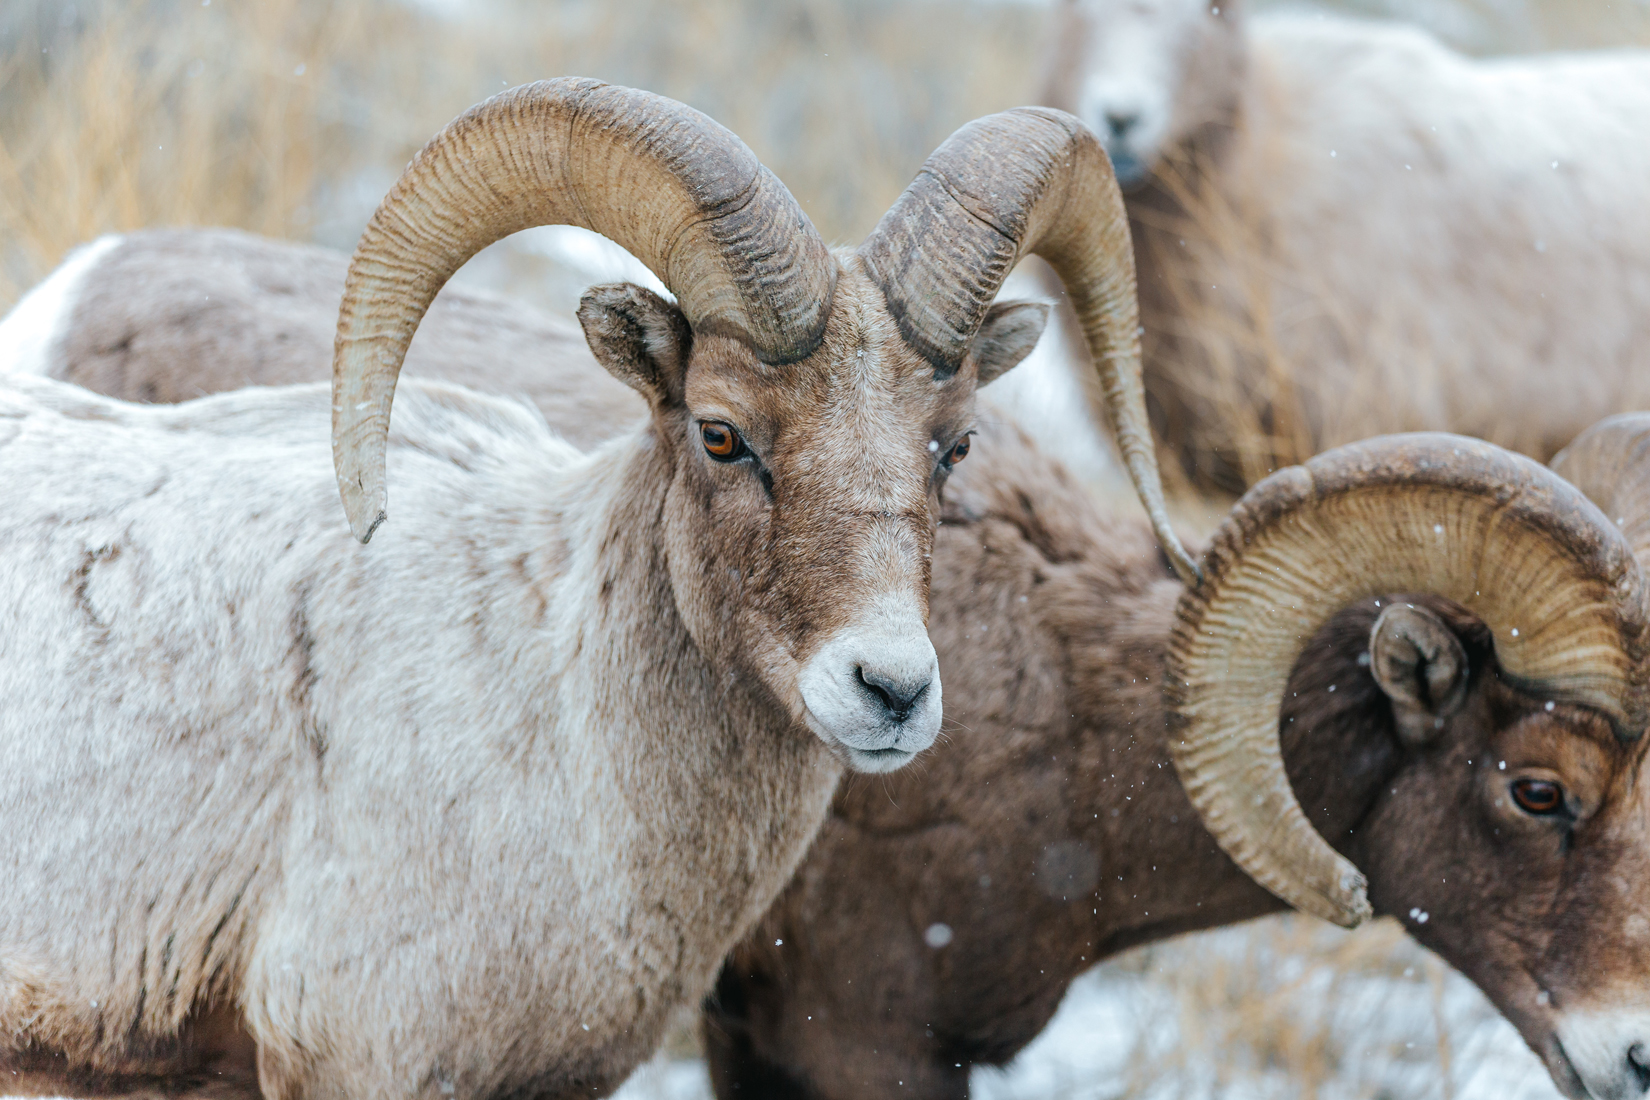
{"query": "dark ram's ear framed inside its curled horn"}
{"type": "Point", "coordinates": [1421, 667]}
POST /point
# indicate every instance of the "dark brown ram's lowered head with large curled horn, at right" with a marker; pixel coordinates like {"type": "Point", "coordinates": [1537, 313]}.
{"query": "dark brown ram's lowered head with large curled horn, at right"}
{"type": "Point", "coordinates": [1511, 834]}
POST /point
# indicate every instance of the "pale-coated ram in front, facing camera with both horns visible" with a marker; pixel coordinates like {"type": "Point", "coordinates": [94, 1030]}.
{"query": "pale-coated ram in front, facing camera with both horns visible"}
{"type": "Point", "coordinates": [471, 811]}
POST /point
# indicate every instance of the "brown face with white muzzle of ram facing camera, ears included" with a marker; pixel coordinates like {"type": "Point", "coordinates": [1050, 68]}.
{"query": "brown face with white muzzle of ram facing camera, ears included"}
{"type": "Point", "coordinates": [799, 552]}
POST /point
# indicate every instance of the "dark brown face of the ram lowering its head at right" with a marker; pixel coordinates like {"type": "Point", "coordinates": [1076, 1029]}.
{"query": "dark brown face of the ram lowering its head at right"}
{"type": "Point", "coordinates": [1511, 839]}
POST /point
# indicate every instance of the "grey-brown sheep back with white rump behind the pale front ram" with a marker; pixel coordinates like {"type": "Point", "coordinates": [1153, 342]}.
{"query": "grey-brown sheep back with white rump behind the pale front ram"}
{"type": "Point", "coordinates": [166, 316]}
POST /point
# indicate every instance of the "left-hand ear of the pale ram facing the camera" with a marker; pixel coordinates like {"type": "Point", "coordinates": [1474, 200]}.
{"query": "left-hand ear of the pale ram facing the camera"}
{"type": "Point", "coordinates": [639, 337]}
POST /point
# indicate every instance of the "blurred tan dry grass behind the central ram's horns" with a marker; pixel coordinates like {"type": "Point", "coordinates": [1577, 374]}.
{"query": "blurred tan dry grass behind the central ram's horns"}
{"type": "Point", "coordinates": [290, 118]}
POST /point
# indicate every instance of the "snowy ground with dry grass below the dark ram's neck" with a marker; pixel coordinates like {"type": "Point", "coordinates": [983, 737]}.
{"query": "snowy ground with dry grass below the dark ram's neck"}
{"type": "Point", "coordinates": [1268, 1012]}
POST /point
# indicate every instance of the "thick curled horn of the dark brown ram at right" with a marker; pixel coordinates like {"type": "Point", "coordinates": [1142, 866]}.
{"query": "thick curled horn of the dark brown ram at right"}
{"type": "Point", "coordinates": [1501, 535]}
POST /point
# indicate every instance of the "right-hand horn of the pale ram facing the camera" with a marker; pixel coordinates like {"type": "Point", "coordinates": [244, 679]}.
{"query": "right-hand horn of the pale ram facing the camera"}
{"type": "Point", "coordinates": [1024, 182]}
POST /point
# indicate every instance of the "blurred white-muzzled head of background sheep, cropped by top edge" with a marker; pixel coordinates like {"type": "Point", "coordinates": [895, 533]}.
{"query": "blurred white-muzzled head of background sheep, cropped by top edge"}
{"type": "Point", "coordinates": [1148, 75]}
